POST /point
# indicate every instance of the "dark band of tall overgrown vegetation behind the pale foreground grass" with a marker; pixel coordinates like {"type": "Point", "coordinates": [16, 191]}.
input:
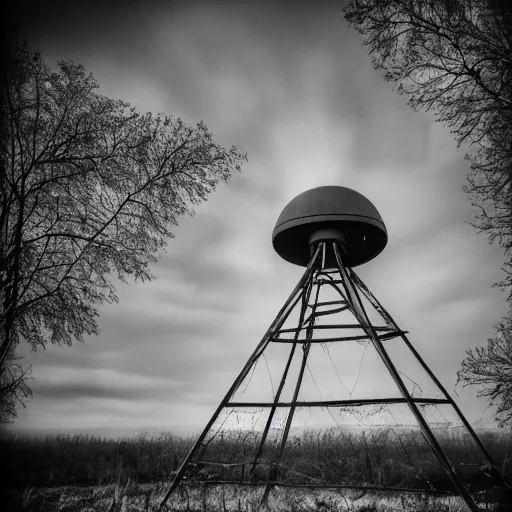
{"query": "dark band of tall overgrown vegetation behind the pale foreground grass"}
{"type": "Point", "coordinates": [367, 458]}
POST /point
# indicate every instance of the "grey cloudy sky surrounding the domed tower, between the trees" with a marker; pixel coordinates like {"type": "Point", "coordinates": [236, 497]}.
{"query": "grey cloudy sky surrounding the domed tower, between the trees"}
{"type": "Point", "coordinates": [293, 87]}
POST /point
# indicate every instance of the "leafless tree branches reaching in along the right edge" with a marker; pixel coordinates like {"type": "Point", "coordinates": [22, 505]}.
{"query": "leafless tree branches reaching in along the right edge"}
{"type": "Point", "coordinates": [454, 58]}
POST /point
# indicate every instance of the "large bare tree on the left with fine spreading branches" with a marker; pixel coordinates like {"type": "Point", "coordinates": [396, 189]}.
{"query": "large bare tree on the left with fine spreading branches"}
{"type": "Point", "coordinates": [89, 189]}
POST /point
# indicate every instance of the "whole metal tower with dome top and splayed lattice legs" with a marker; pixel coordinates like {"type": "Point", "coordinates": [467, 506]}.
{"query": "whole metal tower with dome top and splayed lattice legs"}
{"type": "Point", "coordinates": [328, 230]}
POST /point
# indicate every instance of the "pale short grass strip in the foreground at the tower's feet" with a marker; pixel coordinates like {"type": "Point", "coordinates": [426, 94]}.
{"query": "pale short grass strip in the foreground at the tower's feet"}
{"type": "Point", "coordinates": [133, 497]}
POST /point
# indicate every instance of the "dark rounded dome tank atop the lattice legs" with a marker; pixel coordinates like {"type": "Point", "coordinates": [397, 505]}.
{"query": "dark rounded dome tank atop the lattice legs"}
{"type": "Point", "coordinates": [322, 213]}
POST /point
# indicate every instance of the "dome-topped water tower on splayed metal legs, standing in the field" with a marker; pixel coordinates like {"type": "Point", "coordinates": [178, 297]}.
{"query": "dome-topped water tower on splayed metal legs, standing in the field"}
{"type": "Point", "coordinates": [330, 230]}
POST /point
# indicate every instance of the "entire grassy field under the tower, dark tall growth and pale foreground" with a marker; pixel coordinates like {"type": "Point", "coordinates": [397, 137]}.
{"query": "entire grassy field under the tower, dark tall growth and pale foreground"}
{"type": "Point", "coordinates": [84, 473]}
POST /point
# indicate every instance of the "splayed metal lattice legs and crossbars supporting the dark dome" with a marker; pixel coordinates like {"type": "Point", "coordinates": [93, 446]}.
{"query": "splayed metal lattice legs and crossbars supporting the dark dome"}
{"type": "Point", "coordinates": [265, 463]}
